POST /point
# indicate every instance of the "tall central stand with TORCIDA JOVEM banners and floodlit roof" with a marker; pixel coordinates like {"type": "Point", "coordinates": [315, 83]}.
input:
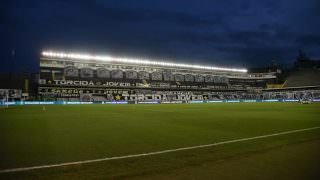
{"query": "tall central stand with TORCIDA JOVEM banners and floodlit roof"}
{"type": "Point", "coordinates": [83, 77]}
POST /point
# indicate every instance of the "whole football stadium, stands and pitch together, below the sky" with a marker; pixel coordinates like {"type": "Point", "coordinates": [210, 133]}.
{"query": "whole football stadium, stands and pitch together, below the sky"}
{"type": "Point", "coordinates": [87, 116]}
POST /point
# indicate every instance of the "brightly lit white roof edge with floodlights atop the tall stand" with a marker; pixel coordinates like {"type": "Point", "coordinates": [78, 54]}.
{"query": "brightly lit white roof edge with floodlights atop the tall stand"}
{"type": "Point", "coordinates": [89, 57]}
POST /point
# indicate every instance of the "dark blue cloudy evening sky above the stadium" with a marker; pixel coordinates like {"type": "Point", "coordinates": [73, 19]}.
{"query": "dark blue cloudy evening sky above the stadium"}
{"type": "Point", "coordinates": [227, 33]}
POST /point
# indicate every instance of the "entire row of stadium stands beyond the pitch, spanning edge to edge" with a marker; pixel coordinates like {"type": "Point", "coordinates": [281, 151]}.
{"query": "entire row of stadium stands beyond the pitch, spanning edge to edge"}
{"type": "Point", "coordinates": [74, 77]}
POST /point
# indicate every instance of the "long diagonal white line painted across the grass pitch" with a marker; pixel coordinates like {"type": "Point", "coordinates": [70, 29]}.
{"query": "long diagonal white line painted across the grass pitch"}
{"type": "Point", "coordinates": [155, 152]}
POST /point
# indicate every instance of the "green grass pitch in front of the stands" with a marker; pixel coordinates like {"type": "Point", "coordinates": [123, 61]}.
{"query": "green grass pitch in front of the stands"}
{"type": "Point", "coordinates": [30, 136]}
